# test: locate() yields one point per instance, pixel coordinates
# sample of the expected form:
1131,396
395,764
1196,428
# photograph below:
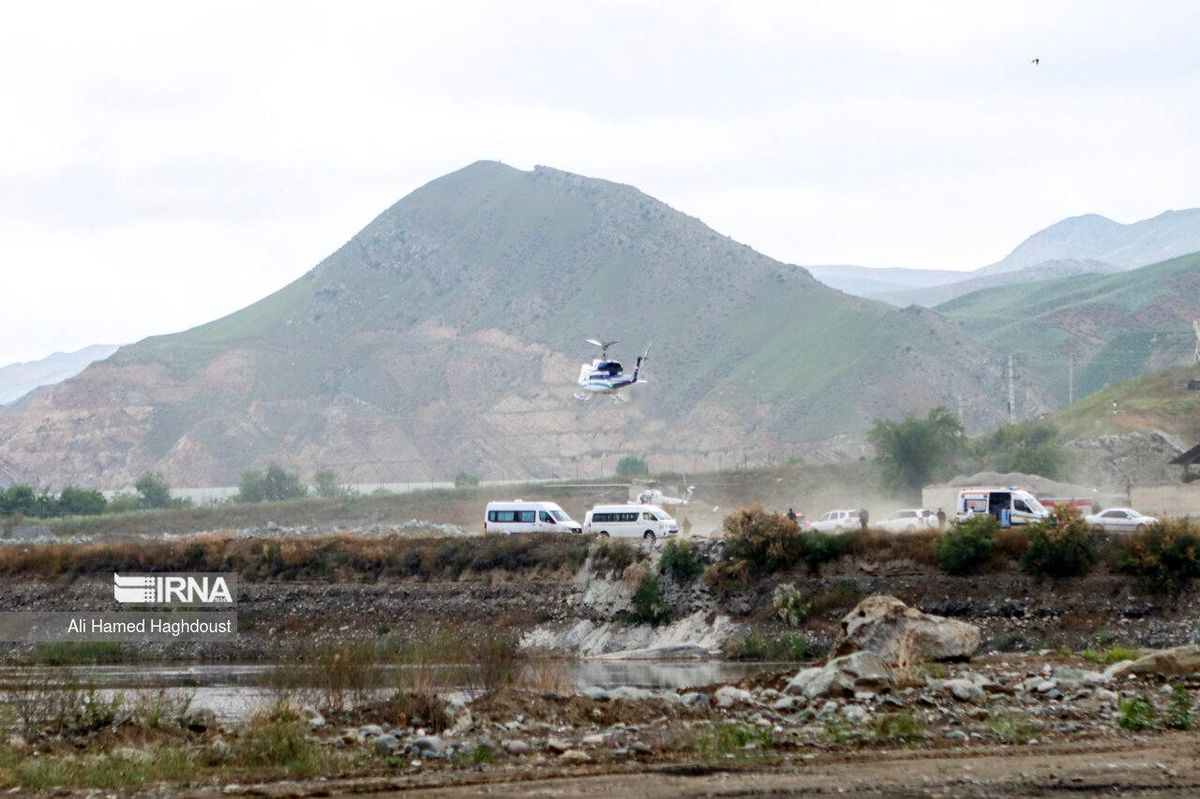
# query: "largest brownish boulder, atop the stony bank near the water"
893,630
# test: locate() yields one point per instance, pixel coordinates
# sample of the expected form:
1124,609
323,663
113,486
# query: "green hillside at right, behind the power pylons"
1113,327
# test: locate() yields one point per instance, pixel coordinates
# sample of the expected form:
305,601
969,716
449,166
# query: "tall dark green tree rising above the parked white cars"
910,453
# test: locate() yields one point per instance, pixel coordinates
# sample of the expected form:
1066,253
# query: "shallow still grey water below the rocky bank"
236,692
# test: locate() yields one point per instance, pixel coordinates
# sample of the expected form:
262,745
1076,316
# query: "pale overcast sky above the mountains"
166,164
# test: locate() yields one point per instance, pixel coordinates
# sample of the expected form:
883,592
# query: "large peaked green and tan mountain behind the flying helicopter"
449,333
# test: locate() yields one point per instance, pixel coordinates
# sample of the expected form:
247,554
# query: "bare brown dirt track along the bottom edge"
1161,766
